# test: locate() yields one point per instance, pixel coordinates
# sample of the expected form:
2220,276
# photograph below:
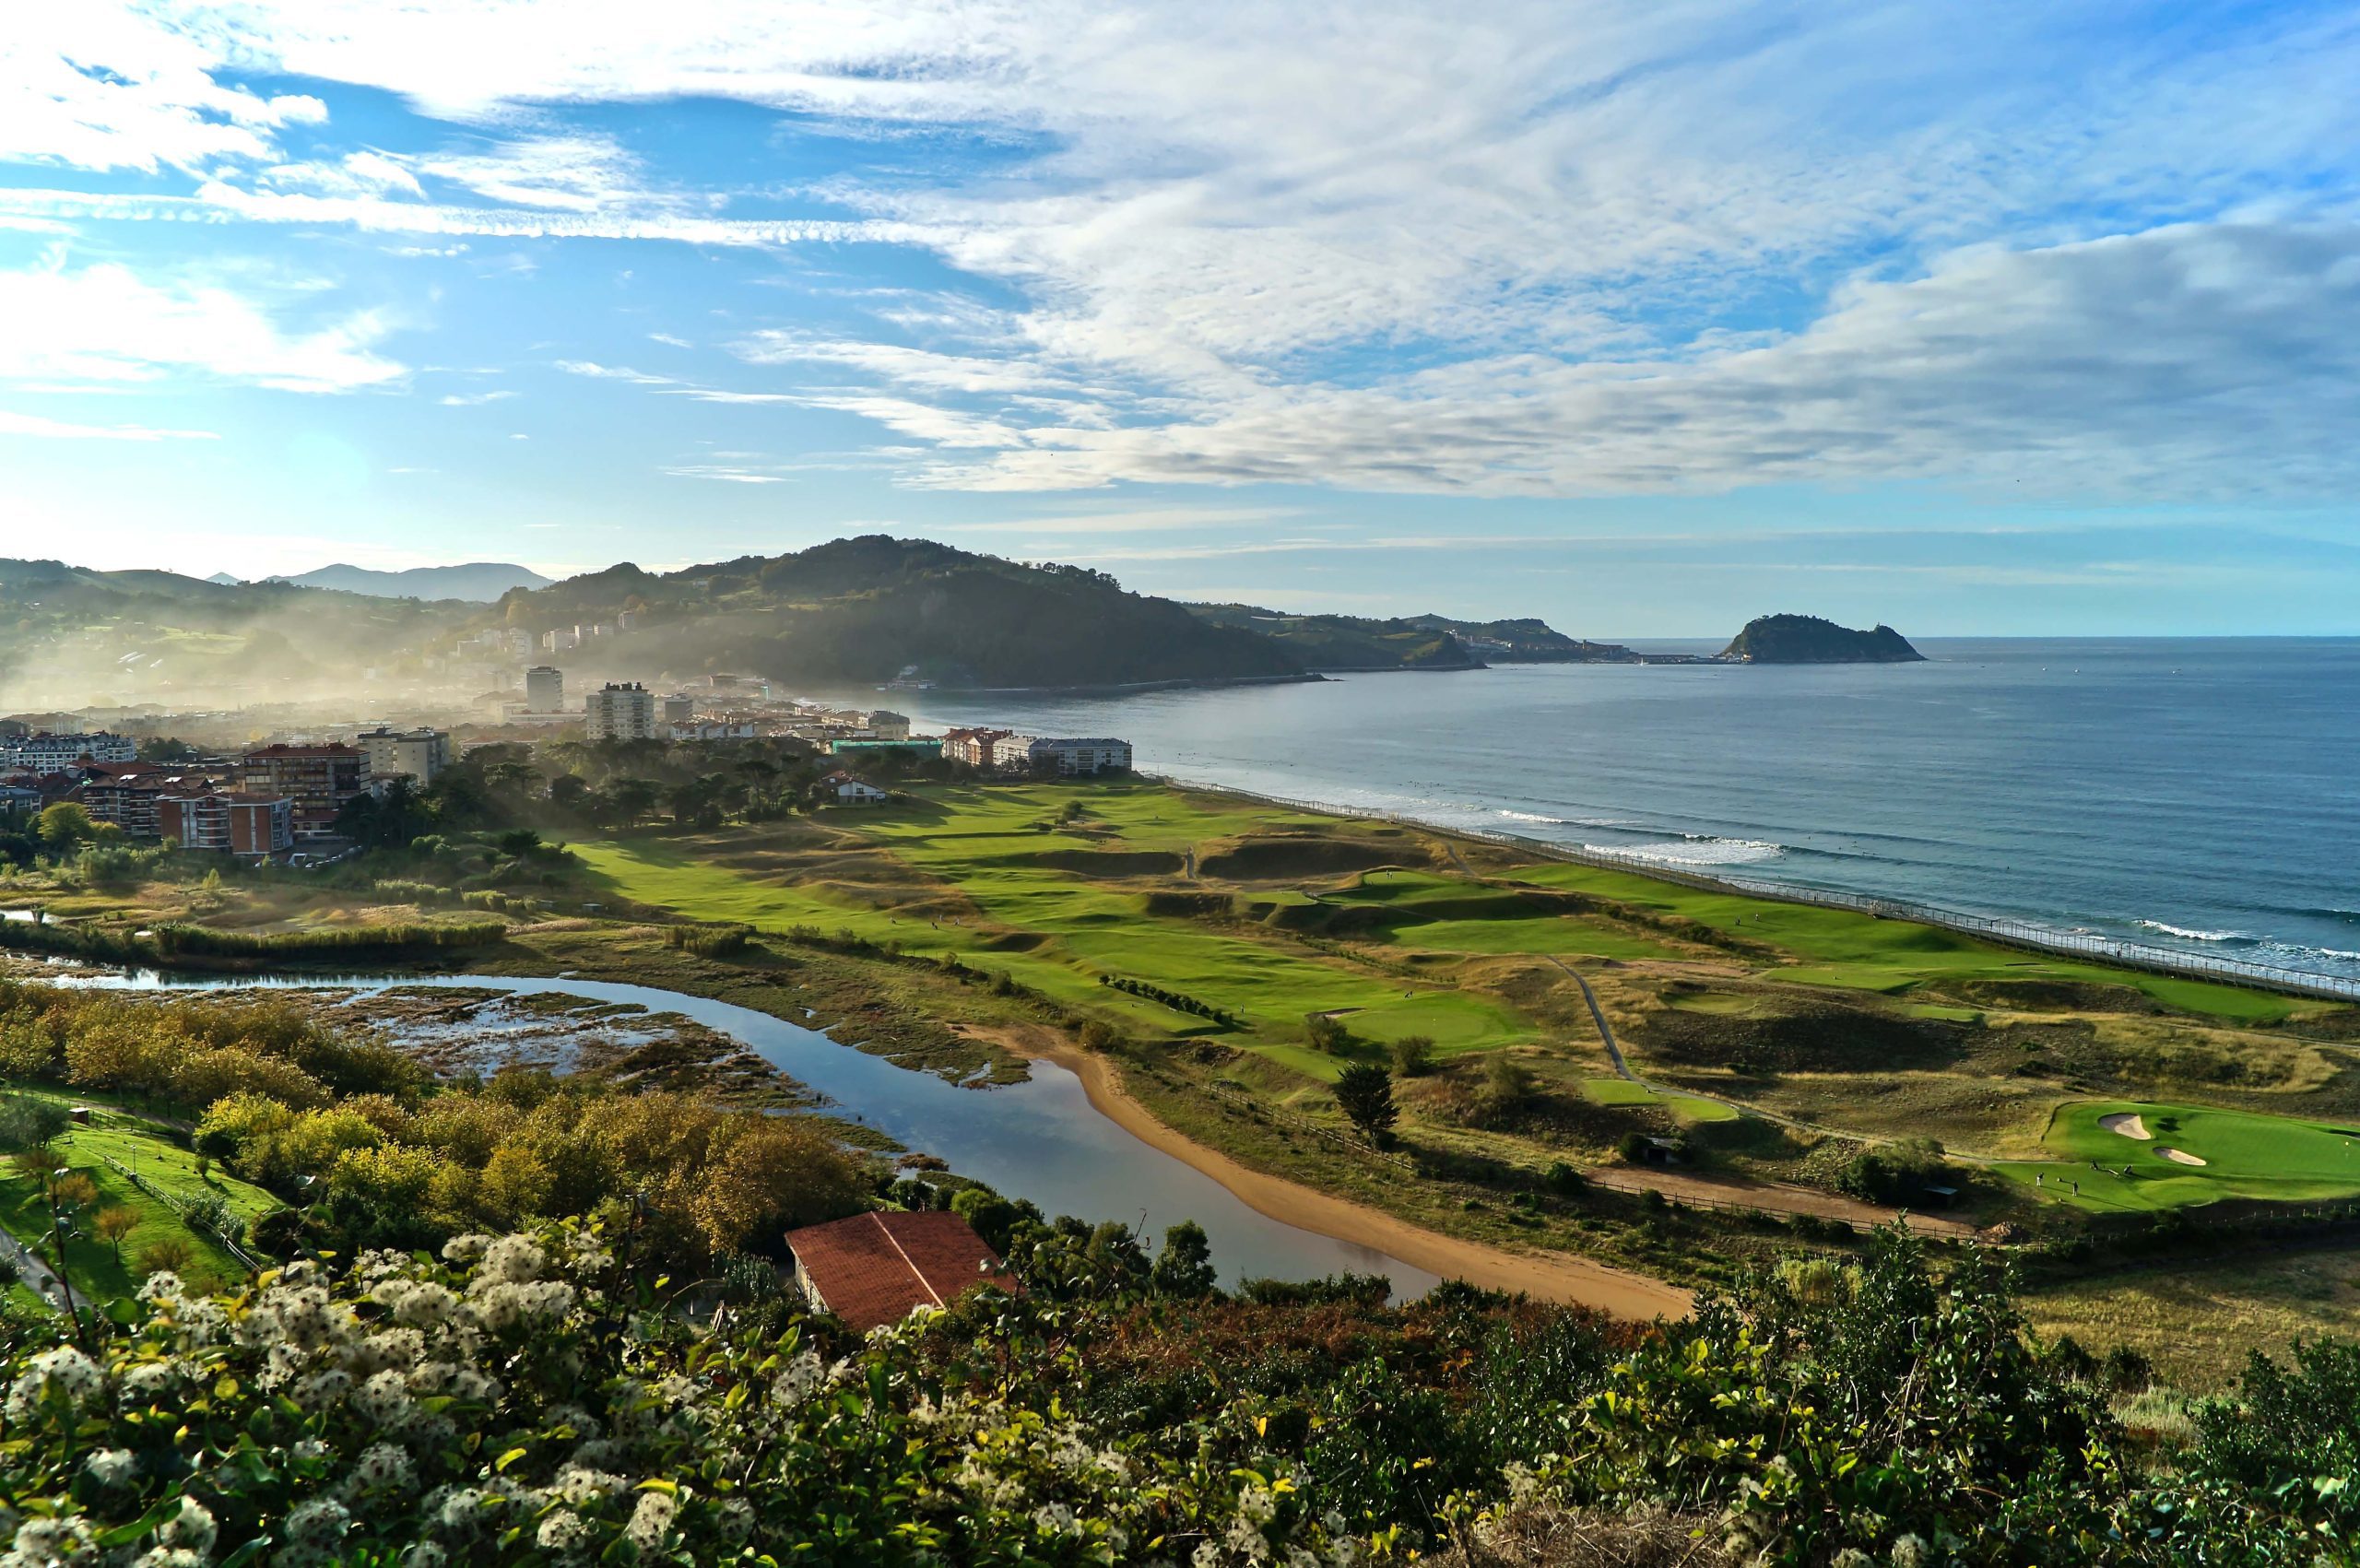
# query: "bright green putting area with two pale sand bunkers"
2246,1156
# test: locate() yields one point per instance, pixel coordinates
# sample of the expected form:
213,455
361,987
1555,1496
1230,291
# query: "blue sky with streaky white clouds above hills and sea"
1644,318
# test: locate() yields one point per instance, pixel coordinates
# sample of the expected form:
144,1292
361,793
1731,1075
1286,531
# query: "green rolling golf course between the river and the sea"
1228,941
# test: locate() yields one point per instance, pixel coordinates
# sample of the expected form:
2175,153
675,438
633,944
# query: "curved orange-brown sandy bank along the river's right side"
1549,1276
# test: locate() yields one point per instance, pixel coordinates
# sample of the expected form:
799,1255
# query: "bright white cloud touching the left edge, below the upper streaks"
107,325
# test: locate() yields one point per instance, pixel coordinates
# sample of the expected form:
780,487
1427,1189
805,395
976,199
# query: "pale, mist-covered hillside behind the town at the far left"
72,636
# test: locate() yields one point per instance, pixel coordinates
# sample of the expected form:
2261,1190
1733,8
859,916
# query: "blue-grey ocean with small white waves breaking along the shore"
2194,795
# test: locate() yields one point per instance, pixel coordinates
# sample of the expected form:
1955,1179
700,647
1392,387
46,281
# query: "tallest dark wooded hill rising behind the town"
867,610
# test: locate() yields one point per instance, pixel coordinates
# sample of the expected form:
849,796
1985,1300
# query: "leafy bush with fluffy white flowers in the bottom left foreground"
516,1402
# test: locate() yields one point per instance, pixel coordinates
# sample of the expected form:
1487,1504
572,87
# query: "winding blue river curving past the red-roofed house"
1040,1139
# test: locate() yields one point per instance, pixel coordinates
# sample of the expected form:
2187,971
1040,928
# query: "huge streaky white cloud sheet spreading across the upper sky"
1538,247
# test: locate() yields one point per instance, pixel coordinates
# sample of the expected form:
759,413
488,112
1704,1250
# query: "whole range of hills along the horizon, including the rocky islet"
848,613
